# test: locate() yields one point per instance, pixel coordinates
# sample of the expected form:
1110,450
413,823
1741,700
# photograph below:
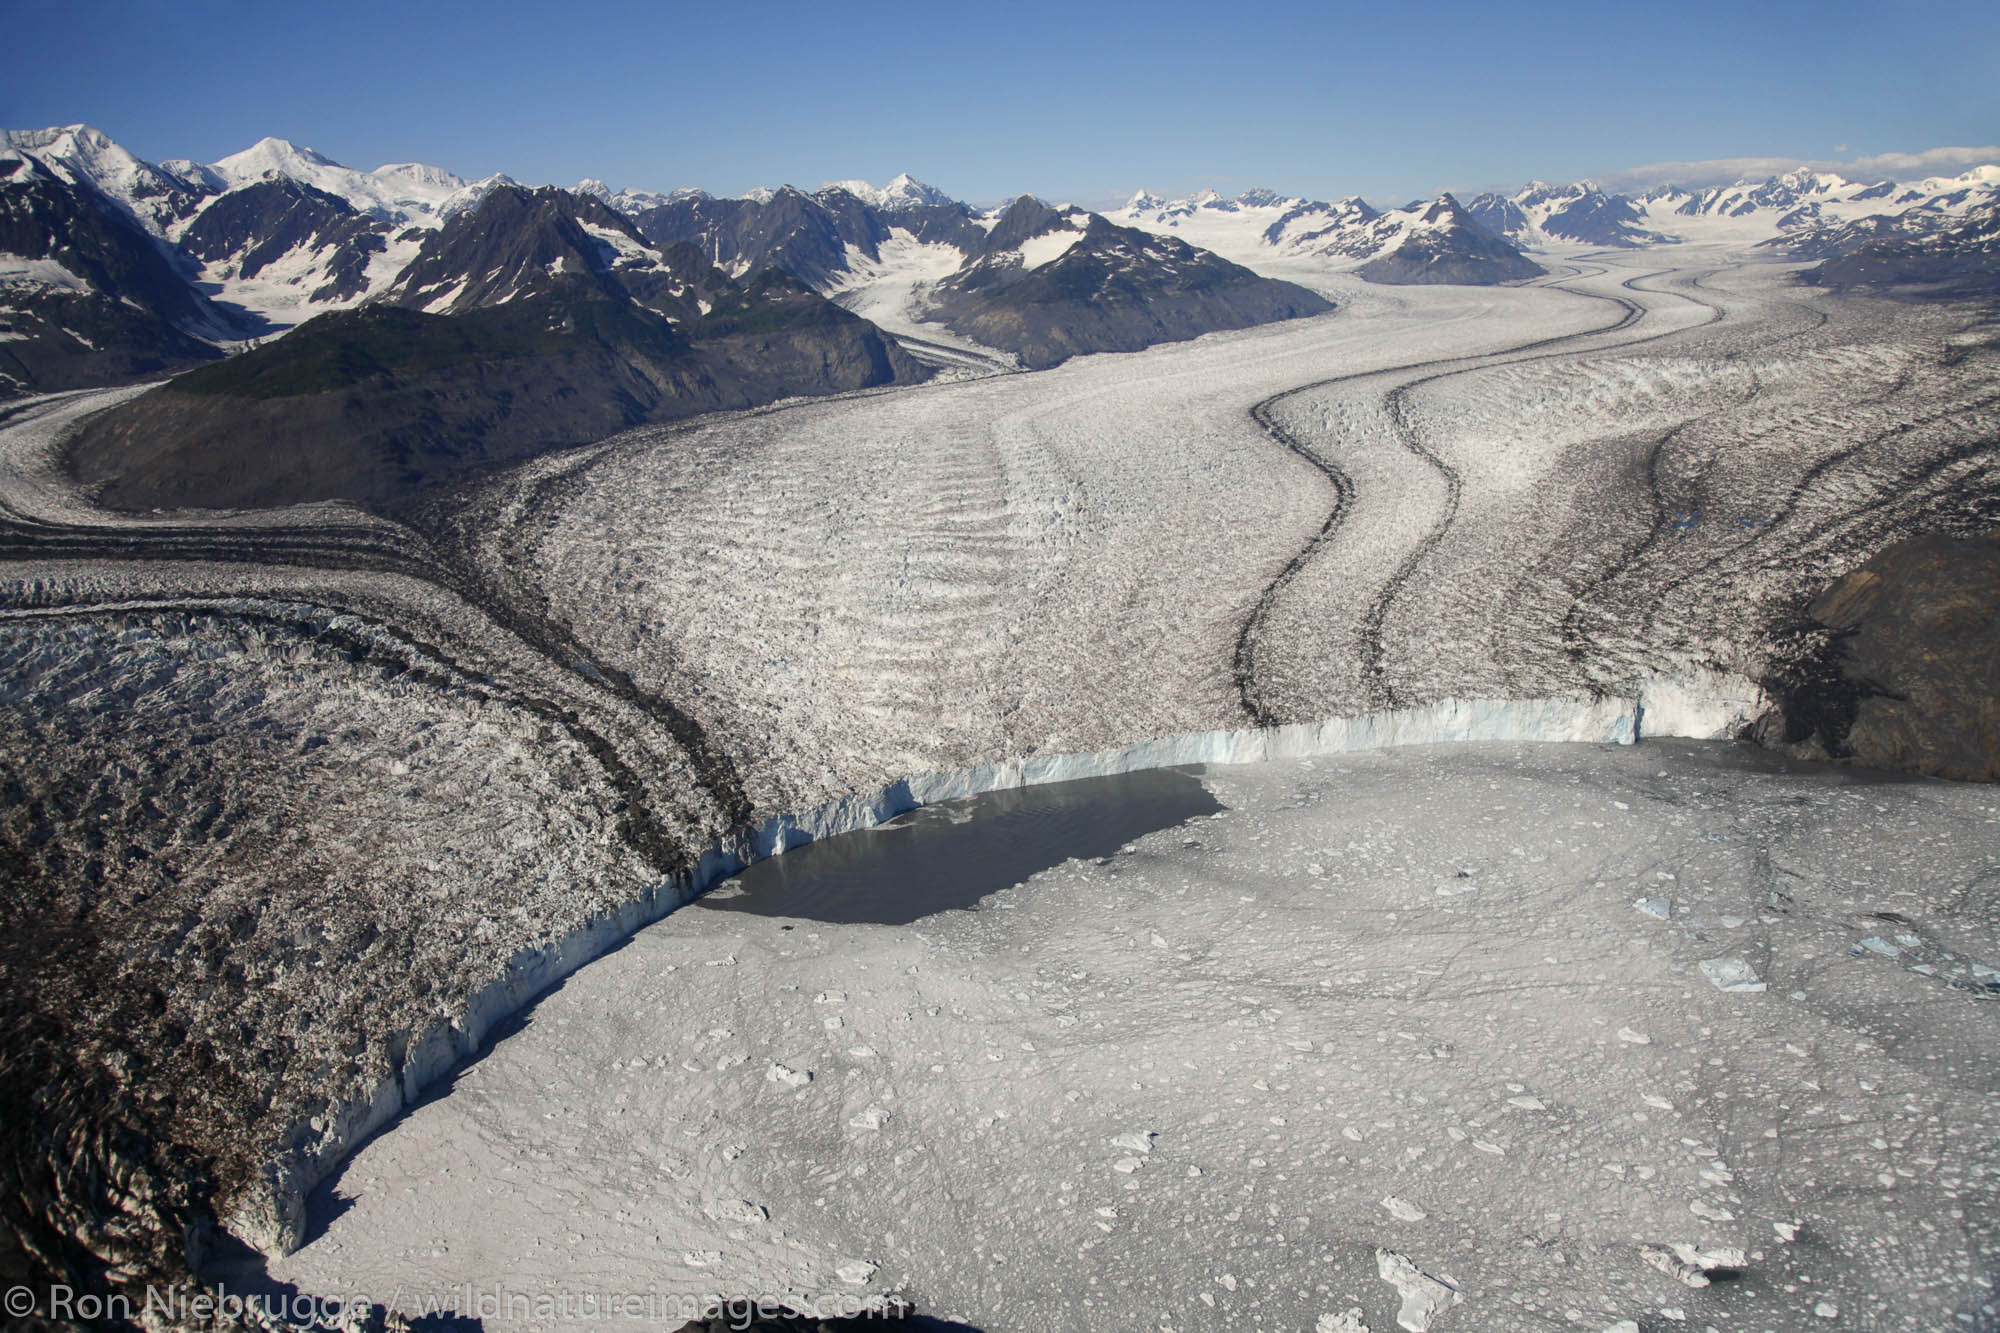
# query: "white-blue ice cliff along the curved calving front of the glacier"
1703,706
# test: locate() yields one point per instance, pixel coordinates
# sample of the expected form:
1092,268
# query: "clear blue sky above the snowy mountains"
987,101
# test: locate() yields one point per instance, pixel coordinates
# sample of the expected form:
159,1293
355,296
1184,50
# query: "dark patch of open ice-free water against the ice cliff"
959,852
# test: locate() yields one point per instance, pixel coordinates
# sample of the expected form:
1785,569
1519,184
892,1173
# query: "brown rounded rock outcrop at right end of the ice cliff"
1901,665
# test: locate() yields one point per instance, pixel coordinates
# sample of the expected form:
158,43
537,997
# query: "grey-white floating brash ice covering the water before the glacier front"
1597,1098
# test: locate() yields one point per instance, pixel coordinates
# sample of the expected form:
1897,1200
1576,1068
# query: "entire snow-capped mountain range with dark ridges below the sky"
437,325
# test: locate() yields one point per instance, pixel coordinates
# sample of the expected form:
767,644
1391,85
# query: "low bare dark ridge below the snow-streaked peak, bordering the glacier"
381,405
